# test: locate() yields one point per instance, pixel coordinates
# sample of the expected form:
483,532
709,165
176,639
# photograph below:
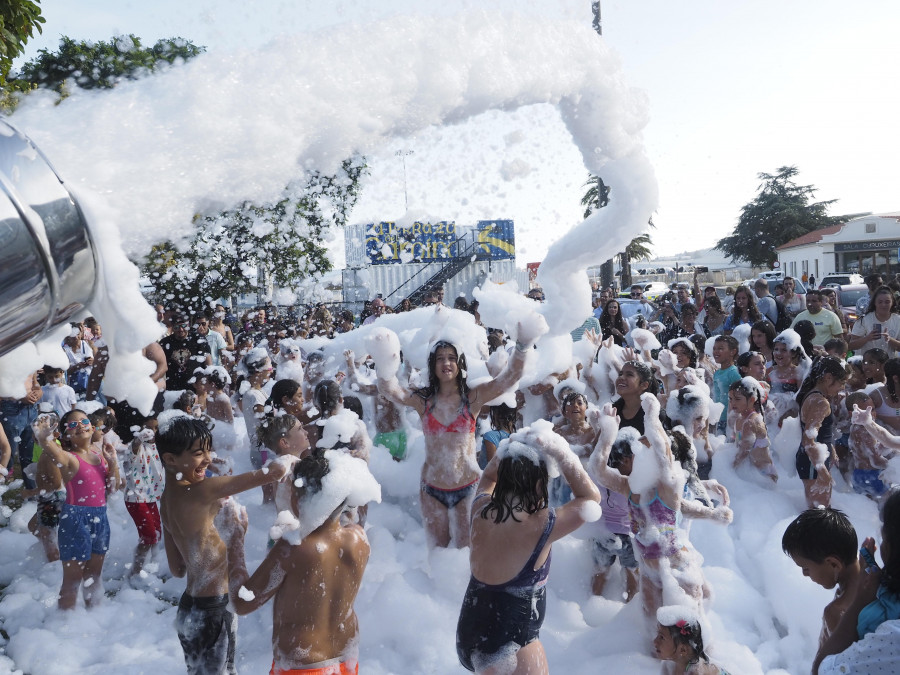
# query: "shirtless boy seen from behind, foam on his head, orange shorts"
315,629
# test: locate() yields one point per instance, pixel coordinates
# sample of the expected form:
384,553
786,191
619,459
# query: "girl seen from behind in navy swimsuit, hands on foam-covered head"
512,531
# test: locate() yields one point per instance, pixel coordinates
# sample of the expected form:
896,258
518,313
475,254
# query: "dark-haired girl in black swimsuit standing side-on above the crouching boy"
816,452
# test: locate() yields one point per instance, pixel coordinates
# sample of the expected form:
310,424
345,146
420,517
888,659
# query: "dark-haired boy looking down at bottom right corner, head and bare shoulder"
823,543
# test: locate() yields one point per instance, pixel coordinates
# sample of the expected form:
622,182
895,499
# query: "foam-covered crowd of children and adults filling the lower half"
648,420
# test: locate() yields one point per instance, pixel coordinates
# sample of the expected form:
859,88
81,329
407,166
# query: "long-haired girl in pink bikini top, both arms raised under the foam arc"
448,409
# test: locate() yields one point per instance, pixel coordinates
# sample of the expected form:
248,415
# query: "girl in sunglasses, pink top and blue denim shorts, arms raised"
88,474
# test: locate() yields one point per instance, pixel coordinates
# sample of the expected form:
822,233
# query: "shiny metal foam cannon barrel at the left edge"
48,262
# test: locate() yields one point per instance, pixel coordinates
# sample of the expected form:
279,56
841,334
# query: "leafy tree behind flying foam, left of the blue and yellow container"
282,240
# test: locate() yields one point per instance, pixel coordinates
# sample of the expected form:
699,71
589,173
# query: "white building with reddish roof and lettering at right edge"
862,245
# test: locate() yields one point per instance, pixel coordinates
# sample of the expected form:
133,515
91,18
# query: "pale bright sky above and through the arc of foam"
732,89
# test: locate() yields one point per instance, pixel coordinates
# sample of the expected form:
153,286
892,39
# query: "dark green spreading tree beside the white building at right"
781,211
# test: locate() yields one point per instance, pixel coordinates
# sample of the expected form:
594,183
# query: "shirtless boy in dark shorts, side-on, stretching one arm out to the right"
188,507
